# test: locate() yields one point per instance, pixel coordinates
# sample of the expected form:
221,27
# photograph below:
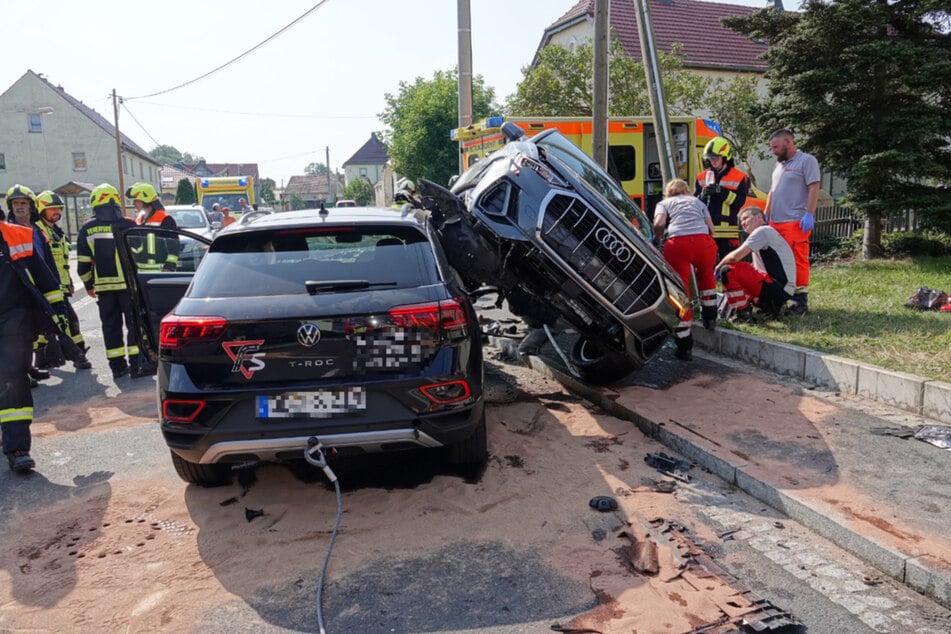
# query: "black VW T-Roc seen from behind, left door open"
347,325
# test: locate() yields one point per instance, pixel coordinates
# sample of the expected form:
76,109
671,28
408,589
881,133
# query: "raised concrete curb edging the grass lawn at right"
924,397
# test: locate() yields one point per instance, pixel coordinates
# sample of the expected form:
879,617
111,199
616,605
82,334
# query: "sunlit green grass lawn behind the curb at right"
857,311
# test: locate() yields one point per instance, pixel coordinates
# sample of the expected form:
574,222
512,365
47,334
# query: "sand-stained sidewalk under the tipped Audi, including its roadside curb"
834,460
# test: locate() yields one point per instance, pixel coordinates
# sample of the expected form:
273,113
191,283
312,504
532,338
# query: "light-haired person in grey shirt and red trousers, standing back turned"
689,245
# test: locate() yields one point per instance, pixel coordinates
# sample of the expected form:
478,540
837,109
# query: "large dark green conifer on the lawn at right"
866,86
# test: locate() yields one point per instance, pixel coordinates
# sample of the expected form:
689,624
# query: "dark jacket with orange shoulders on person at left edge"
25,279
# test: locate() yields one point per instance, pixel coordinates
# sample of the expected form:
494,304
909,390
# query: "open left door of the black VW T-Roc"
155,289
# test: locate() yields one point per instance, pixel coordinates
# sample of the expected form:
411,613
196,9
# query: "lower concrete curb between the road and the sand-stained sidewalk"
923,573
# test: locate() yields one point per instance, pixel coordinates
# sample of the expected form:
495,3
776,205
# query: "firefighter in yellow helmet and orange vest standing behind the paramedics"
723,188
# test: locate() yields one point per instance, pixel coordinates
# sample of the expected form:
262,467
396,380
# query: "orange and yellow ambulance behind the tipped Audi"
632,149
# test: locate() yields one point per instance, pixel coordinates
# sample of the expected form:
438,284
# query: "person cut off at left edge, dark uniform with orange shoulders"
30,301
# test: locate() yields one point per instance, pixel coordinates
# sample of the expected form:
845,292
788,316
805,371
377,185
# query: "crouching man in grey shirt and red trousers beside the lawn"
770,281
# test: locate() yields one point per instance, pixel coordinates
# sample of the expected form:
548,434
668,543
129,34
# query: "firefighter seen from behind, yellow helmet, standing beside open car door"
98,268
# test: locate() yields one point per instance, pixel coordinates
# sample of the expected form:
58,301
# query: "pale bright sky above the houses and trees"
319,84
